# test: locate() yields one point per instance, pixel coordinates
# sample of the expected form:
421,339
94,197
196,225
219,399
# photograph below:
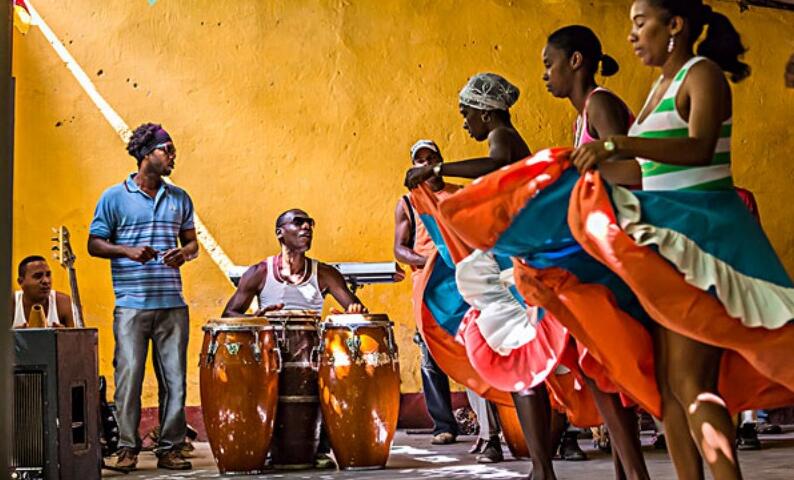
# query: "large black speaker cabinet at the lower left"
56,404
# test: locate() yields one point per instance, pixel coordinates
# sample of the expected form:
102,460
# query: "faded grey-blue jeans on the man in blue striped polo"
168,331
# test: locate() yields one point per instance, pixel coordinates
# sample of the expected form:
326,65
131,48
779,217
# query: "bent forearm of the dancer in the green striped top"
673,151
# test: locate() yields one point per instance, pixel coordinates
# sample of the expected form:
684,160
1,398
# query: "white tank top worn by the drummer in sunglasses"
302,296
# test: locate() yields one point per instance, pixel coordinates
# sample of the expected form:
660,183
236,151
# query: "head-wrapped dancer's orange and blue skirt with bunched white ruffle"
461,334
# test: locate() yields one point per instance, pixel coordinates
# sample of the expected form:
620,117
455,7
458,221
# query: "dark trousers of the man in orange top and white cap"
435,385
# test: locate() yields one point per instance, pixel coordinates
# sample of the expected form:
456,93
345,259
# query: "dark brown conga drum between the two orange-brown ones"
297,430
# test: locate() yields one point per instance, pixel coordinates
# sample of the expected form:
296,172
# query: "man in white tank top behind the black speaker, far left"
35,282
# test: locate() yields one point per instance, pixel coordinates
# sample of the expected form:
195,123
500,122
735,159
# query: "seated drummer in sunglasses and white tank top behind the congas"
290,280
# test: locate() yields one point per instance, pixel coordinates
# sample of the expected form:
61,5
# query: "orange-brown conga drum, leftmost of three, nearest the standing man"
239,365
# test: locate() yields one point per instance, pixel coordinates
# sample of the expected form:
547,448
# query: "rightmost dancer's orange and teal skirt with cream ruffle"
701,266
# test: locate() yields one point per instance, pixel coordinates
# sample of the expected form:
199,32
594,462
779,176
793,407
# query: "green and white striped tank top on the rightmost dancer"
666,122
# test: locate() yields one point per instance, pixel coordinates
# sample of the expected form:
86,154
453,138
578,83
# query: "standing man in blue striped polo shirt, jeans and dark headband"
139,224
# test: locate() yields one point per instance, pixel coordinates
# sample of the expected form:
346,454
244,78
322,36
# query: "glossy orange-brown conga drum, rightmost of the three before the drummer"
359,377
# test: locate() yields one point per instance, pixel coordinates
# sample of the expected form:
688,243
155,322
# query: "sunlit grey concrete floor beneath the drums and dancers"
412,456
